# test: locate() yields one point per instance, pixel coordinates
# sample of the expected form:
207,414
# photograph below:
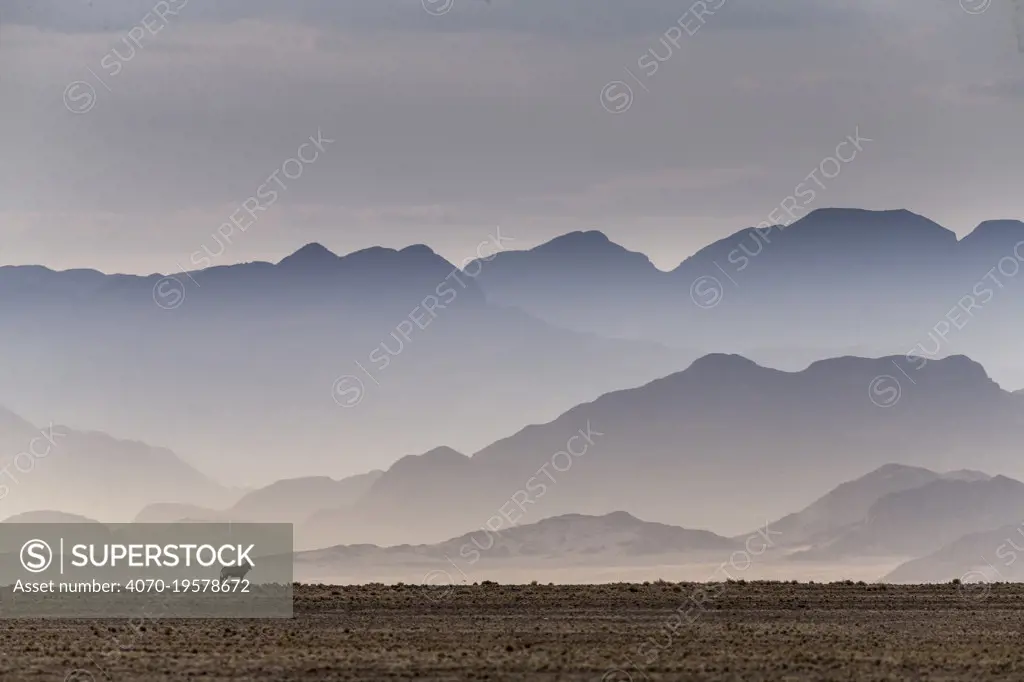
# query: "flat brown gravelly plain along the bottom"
615,633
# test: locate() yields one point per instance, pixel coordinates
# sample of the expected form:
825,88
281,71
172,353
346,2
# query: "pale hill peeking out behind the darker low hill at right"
850,503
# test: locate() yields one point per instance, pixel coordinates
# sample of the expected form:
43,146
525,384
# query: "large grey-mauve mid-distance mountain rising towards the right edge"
717,446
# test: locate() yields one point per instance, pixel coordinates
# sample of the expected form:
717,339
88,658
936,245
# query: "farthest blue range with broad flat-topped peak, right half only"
844,278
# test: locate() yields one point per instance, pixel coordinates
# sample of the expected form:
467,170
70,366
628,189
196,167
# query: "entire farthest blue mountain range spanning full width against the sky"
259,372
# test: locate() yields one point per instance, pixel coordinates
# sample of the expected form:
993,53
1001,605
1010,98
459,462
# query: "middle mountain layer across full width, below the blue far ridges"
718,446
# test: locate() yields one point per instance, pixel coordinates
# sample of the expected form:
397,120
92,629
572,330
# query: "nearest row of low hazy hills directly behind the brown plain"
941,526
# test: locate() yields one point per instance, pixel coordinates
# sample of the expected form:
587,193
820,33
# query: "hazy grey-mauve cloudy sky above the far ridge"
482,113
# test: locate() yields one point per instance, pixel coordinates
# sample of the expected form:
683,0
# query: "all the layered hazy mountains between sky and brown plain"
313,370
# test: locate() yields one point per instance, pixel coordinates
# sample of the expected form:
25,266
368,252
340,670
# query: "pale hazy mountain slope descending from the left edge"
92,474
